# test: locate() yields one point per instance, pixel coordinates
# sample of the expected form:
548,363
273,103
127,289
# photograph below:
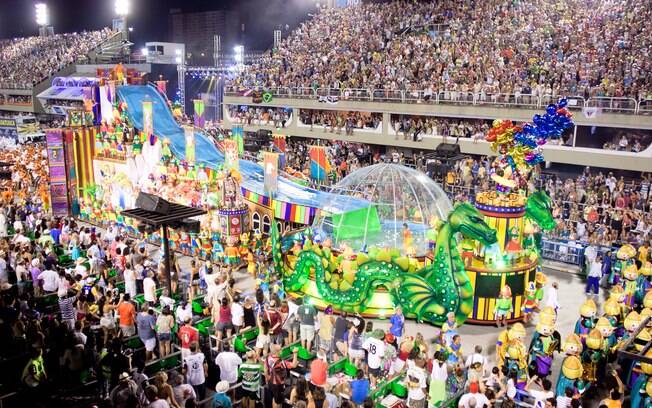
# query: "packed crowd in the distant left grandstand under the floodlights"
28,61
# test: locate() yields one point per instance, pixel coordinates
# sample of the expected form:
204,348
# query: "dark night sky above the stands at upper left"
150,17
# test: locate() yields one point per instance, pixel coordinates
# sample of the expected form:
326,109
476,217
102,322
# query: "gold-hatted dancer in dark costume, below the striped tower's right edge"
545,341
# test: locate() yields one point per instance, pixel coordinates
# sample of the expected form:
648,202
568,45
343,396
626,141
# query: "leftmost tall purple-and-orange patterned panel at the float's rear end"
57,165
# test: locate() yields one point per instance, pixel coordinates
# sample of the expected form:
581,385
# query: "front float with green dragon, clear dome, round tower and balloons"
411,247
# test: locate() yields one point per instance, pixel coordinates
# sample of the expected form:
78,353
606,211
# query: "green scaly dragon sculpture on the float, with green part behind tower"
427,294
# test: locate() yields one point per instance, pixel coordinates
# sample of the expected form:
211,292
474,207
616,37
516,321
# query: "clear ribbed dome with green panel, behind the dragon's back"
401,203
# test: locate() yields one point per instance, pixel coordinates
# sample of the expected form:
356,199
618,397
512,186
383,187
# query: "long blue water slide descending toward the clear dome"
206,152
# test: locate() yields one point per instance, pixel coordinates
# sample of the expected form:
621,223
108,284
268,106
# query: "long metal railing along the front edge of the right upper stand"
517,99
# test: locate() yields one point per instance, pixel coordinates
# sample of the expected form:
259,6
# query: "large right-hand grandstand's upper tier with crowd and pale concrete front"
422,62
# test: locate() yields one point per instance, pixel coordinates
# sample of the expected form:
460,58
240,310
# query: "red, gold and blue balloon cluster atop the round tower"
519,147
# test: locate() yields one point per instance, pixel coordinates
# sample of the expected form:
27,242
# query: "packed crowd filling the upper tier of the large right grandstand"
539,48
